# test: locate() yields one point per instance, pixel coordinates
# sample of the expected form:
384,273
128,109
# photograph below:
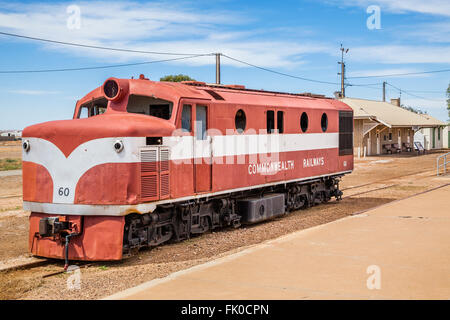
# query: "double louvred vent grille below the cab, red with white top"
155,173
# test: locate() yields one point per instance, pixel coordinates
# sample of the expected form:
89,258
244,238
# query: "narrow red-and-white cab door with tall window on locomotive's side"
202,150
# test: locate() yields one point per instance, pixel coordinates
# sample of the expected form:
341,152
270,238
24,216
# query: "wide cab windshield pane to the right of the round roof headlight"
150,106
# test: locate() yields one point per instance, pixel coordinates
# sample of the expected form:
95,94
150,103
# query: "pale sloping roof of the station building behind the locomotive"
389,114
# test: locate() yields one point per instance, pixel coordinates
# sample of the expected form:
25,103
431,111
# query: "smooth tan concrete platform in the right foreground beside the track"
396,251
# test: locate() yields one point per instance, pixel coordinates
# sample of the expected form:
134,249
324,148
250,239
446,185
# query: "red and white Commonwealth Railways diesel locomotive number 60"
145,162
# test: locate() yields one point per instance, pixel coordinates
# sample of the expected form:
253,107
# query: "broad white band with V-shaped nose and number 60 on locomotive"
66,172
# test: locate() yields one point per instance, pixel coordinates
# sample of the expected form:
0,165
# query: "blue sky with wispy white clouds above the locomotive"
300,38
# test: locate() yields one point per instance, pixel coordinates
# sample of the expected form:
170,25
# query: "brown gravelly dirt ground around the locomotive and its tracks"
400,176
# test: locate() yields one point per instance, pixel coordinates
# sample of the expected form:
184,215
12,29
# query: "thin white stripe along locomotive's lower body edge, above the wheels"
120,210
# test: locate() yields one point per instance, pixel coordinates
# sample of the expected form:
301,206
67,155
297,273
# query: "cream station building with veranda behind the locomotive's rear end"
383,127
